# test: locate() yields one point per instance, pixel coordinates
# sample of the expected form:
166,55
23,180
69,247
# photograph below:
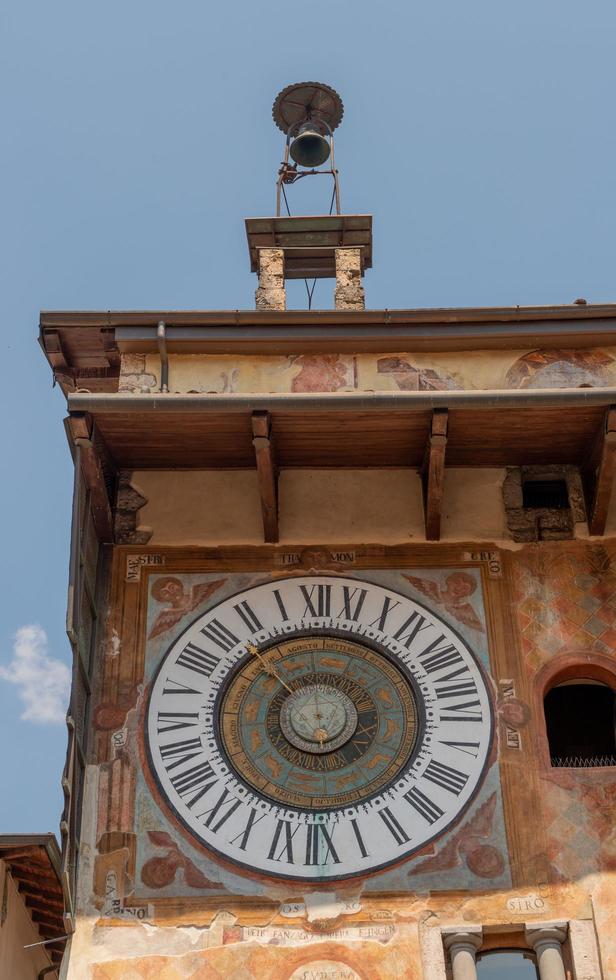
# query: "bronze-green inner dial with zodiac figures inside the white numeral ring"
318,721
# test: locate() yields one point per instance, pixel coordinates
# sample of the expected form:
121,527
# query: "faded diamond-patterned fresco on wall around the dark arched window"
566,611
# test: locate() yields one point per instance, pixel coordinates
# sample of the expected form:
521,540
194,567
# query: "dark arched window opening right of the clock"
580,719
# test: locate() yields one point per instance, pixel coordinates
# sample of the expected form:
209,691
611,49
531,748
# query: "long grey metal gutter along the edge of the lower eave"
308,402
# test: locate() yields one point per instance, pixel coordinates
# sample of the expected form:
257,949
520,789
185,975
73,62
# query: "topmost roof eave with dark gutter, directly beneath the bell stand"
84,348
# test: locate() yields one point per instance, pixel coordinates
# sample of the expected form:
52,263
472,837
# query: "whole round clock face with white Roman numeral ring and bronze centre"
318,727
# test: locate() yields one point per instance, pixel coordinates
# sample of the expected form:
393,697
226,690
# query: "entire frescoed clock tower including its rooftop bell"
341,603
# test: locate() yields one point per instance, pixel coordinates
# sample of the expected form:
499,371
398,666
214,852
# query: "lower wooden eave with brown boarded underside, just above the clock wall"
352,430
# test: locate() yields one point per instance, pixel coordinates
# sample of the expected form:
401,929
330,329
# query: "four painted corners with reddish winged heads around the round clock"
170,863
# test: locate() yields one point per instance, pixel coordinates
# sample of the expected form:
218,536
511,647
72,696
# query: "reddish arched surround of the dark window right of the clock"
567,667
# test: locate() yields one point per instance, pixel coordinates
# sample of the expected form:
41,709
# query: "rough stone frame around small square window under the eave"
527,524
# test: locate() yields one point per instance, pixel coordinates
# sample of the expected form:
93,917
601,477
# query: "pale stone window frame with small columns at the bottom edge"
563,948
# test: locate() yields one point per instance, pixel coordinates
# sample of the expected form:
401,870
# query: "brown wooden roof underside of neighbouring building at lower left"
34,864
